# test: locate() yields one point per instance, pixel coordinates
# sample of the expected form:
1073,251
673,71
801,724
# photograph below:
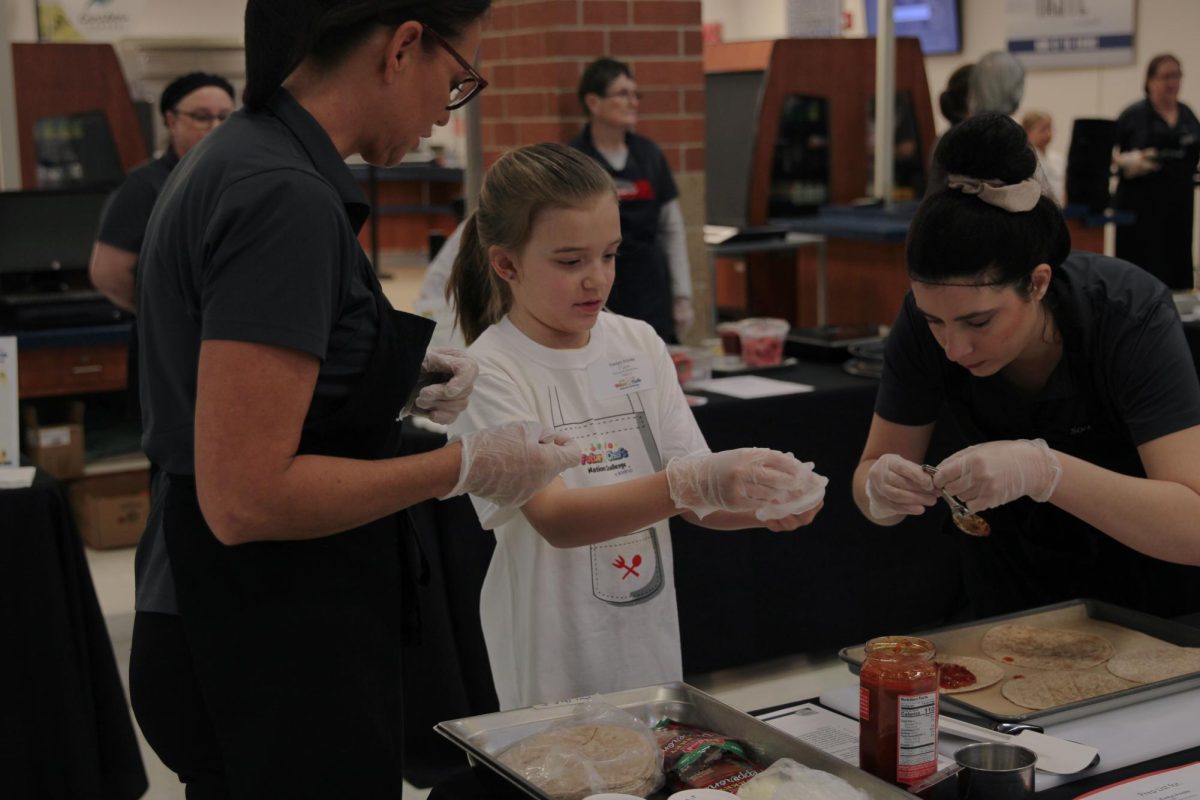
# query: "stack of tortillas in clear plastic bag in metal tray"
573,762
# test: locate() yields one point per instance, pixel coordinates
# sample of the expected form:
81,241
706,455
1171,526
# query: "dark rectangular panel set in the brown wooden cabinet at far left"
76,151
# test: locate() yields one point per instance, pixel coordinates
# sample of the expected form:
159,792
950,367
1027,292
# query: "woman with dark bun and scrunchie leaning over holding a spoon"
1070,376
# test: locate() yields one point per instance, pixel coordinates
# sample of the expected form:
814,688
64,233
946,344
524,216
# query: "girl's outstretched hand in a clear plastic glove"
735,480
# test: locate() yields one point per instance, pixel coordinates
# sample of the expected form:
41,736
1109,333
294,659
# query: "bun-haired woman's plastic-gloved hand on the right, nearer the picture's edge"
995,473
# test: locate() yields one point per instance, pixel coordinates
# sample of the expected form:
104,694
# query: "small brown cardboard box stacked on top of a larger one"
111,509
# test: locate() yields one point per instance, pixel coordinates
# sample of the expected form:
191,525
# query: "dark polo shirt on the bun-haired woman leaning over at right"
1126,378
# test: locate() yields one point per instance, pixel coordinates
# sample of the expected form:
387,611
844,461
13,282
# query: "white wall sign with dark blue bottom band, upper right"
1071,33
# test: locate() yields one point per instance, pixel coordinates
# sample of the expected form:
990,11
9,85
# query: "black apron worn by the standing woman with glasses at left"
297,645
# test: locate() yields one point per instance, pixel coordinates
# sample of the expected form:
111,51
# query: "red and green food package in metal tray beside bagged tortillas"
694,759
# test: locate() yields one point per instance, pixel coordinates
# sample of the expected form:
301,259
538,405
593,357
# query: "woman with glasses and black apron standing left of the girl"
272,578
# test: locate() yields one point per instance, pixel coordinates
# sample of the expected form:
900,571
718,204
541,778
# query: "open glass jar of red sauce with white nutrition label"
898,709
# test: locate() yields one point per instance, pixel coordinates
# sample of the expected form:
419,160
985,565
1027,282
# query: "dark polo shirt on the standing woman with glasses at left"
255,239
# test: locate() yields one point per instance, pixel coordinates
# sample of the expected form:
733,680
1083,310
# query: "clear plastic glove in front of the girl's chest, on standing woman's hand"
509,465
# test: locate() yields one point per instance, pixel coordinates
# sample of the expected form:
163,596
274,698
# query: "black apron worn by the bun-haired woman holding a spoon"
1037,554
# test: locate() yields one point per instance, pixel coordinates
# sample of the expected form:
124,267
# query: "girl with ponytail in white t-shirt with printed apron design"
580,594
